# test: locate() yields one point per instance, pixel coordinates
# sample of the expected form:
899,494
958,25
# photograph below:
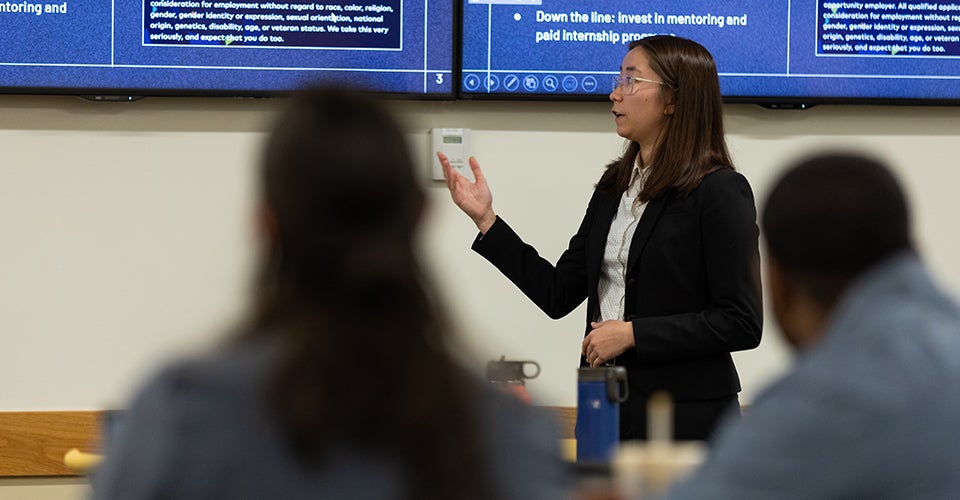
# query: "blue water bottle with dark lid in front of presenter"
599,394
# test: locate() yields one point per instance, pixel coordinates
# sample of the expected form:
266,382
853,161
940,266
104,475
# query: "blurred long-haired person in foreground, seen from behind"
341,384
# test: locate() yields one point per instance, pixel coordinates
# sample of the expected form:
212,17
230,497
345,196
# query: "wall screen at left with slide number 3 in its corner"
234,48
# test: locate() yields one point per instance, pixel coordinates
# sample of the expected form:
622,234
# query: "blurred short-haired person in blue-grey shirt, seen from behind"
871,408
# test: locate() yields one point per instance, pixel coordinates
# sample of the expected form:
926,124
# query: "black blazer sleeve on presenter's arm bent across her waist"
732,317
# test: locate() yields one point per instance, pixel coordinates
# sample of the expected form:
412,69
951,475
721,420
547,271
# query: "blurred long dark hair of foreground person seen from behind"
365,360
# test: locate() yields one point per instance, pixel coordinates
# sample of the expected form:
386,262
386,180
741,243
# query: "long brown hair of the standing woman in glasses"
692,143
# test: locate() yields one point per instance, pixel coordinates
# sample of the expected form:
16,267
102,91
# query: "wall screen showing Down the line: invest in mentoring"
775,52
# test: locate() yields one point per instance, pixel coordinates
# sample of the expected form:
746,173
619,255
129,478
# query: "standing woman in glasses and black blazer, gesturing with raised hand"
667,252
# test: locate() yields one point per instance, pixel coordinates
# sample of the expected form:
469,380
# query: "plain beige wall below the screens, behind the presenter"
124,227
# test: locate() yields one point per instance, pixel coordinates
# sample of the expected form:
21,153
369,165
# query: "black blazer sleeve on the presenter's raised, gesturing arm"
555,289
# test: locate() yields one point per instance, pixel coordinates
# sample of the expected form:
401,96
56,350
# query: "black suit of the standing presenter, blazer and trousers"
692,284
